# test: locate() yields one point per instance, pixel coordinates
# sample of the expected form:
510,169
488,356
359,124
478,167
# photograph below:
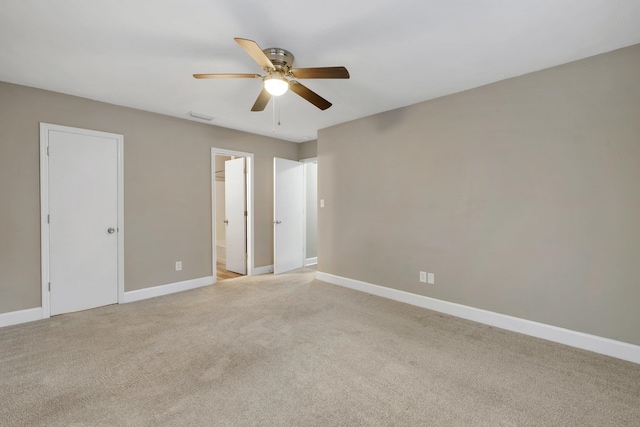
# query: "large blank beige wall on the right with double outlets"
523,197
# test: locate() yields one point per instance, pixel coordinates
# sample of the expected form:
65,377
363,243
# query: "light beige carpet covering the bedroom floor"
292,351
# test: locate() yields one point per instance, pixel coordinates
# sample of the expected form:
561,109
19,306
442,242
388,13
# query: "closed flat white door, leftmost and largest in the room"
83,216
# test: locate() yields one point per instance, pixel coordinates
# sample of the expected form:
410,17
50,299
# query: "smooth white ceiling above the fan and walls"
142,53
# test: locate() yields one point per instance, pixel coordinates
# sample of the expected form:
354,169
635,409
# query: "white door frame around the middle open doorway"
250,219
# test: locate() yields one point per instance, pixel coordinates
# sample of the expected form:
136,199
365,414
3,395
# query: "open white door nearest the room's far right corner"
288,215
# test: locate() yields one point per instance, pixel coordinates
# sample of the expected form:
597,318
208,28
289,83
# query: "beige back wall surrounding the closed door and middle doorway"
167,189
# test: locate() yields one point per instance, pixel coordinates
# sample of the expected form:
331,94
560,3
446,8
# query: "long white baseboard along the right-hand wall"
606,346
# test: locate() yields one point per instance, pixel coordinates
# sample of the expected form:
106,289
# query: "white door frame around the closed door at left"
44,206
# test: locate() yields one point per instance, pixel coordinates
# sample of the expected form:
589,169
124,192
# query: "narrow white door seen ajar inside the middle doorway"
235,201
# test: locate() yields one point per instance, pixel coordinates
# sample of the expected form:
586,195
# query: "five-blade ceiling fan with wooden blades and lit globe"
280,76
